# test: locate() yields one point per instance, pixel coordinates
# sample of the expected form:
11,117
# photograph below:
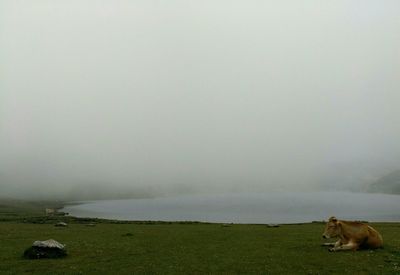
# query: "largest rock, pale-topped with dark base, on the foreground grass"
45,249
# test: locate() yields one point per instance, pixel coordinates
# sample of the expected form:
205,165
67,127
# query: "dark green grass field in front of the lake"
162,248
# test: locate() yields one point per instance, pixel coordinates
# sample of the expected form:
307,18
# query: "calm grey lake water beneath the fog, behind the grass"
276,207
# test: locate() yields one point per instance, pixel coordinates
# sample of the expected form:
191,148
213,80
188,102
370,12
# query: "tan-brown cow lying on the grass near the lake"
352,235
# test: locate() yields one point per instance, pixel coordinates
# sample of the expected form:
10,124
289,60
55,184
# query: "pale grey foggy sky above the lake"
140,98
